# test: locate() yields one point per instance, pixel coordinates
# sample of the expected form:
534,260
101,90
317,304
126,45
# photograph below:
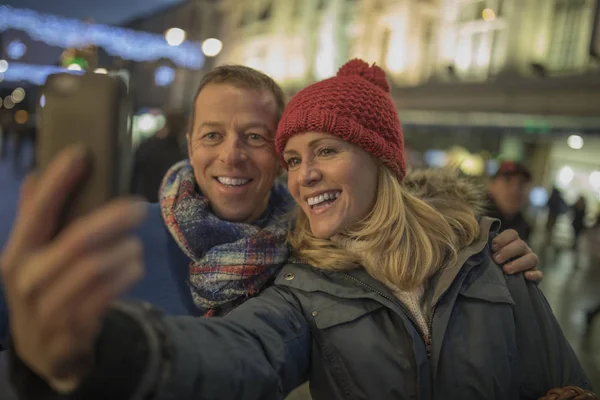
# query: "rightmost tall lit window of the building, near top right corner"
567,35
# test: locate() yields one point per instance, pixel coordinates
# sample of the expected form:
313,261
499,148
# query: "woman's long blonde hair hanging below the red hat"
403,241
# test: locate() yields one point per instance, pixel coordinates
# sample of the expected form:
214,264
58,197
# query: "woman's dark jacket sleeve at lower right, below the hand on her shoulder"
547,359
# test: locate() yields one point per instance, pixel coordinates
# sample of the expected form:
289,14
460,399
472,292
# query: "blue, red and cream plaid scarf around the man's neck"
230,261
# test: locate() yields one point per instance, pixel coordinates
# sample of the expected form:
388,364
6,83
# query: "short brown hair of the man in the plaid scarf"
242,77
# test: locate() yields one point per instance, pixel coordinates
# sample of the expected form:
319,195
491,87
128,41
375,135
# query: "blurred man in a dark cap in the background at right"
508,190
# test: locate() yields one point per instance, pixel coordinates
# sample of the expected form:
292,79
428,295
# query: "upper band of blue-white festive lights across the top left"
125,43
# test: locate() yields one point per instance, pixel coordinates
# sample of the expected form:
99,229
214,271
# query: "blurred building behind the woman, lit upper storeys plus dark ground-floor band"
508,77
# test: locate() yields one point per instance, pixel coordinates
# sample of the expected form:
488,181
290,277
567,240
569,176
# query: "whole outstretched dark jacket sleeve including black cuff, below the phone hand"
261,350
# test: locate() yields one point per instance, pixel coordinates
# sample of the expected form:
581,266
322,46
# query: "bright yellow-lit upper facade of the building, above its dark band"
416,41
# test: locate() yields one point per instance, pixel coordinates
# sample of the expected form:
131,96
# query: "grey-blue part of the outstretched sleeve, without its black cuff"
261,350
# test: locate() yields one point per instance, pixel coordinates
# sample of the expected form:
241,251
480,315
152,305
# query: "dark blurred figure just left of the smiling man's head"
156,155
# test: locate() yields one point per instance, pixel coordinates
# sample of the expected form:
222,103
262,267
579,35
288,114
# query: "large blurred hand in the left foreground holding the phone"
60,285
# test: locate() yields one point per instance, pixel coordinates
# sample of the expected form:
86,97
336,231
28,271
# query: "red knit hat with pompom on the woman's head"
354,105
